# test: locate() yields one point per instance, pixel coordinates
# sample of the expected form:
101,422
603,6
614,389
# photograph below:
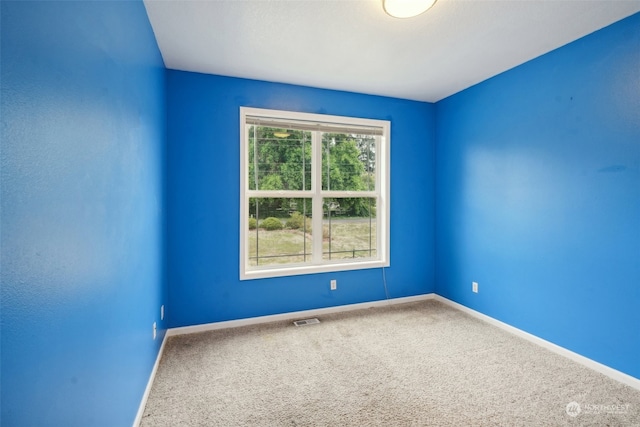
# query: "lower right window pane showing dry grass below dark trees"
349,228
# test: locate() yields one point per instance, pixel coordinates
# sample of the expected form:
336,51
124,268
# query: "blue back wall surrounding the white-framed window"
203,200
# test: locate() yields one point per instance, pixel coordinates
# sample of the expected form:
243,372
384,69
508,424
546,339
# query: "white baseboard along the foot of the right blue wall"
585,361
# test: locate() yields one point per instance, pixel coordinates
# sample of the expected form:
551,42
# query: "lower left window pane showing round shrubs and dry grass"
279,231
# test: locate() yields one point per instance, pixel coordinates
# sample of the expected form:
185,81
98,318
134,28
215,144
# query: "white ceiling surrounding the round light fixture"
353,45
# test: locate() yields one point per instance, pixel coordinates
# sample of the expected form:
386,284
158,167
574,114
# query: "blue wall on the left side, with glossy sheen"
82,211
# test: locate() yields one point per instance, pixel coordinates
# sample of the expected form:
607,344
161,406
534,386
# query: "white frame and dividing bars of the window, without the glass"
381,193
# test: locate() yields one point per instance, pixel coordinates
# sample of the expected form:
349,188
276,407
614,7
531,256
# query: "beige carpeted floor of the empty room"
416,364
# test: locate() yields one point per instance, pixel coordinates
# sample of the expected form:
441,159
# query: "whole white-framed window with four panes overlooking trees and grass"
314,193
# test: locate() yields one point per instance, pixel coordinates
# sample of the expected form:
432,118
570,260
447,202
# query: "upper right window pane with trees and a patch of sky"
348,162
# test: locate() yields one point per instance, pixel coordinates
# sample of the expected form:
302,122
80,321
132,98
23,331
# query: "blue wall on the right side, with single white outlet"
538,196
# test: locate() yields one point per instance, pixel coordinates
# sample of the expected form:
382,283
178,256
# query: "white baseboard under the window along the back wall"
293,315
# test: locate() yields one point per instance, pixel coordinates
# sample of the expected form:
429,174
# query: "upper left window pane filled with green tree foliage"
279,159
